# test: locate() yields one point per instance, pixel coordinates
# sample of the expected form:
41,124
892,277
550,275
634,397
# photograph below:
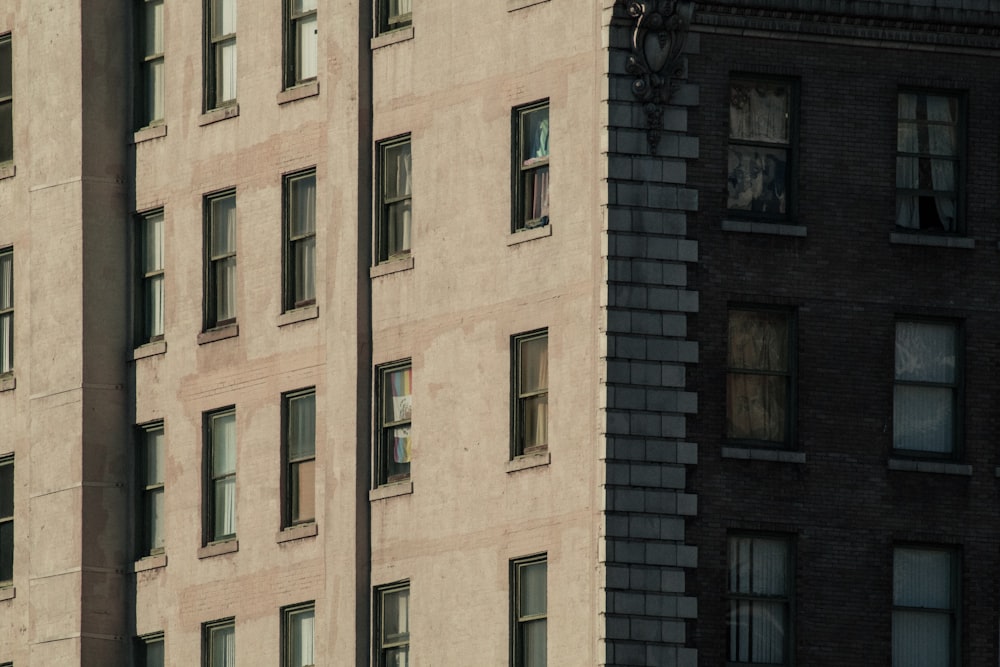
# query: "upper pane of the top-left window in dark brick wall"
759,111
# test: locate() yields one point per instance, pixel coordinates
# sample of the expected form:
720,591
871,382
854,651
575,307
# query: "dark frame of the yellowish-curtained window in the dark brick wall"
790,373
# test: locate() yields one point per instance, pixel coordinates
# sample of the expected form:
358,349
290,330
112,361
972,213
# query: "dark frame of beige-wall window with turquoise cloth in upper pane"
523,167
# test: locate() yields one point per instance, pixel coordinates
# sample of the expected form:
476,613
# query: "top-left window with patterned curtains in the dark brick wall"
760,146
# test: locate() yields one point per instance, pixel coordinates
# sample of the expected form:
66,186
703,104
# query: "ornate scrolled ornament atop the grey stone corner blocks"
657,42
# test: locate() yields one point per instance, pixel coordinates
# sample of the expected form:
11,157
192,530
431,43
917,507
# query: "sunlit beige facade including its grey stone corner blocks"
327,336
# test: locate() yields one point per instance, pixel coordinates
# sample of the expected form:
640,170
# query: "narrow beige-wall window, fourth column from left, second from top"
300,239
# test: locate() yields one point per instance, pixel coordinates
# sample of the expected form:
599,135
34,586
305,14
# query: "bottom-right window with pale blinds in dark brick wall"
925,599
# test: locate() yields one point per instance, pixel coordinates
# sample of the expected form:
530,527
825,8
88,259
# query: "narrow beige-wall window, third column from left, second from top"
220,283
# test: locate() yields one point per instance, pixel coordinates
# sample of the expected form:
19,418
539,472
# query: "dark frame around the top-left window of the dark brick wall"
791,148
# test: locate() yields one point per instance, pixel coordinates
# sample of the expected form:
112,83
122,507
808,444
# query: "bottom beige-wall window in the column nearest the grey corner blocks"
529,606
